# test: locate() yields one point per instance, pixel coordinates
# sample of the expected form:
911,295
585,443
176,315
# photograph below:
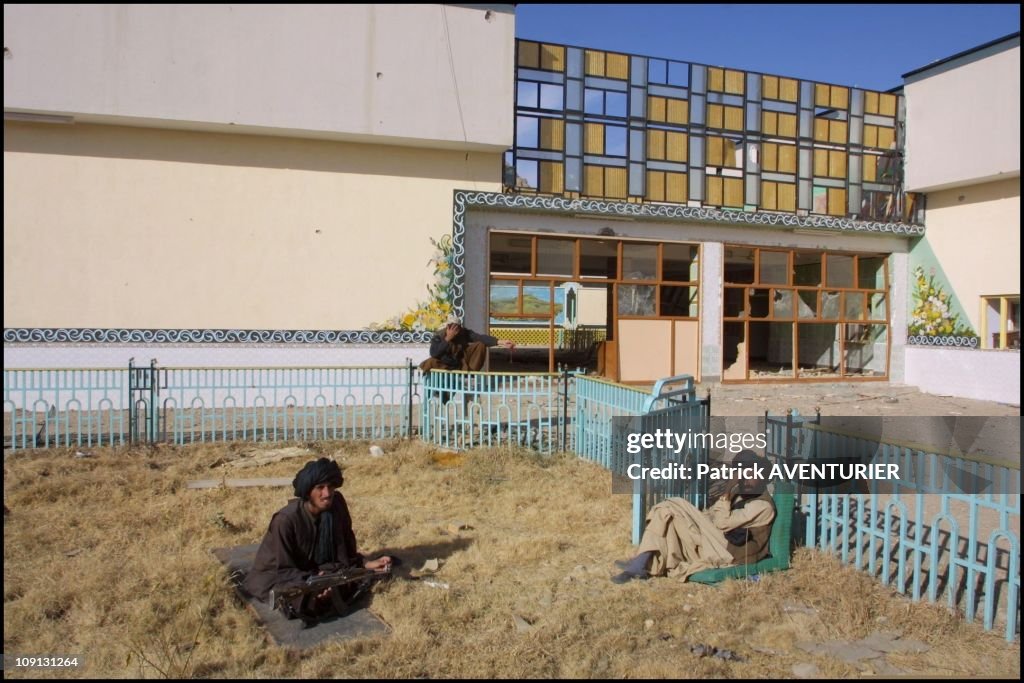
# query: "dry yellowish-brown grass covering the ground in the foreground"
109,558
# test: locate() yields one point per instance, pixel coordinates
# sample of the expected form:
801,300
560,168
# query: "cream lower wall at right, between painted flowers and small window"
974,233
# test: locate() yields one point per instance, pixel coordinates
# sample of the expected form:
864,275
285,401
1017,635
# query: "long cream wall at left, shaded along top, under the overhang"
131,228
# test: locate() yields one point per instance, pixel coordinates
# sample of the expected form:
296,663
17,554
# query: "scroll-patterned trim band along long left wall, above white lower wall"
120,336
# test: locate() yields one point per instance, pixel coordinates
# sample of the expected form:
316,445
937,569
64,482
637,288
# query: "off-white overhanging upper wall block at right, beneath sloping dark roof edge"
964,124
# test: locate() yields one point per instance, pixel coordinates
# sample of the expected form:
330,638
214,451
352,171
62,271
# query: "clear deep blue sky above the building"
868,47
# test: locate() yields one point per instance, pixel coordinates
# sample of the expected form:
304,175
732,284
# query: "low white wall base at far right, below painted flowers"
984,375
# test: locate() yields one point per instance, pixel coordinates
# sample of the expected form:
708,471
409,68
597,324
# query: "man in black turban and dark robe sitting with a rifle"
312,535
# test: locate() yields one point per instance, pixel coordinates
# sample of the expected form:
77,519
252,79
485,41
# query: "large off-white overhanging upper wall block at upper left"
414,74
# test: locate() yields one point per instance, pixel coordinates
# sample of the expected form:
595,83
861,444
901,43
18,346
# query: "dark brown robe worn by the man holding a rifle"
286,554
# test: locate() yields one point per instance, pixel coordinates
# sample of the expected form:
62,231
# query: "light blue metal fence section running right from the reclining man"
922,535
